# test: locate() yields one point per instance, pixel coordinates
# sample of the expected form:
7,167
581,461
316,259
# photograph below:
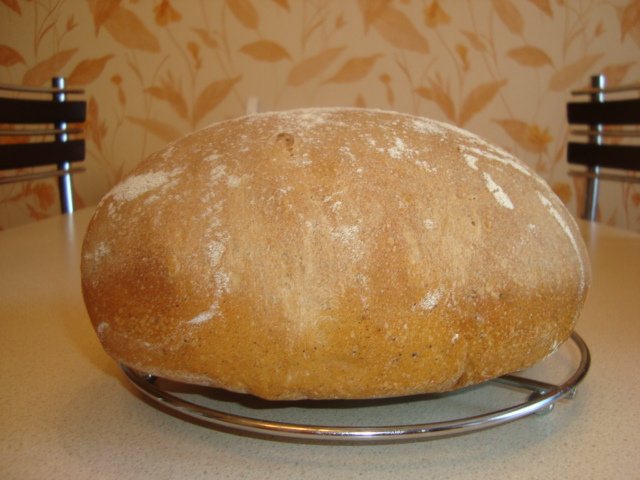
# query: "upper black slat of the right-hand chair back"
613,112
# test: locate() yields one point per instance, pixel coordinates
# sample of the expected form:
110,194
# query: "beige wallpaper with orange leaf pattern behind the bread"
157,69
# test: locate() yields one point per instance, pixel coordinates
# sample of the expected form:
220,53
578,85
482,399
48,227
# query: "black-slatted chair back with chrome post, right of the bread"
610,132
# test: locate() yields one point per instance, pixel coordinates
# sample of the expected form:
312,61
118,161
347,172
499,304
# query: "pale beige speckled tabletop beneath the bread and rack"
67,411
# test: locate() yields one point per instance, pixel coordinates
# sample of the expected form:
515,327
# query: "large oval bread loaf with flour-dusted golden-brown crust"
332,253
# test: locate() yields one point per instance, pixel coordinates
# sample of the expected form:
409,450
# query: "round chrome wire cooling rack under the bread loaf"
493,403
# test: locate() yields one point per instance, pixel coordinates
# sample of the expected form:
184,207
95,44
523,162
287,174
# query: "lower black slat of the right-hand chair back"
625,157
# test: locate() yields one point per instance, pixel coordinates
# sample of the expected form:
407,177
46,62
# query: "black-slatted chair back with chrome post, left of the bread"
41,127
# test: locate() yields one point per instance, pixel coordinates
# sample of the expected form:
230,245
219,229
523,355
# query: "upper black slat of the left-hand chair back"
14,110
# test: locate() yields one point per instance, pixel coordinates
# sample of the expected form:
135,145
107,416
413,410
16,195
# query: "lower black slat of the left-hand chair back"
23,155
